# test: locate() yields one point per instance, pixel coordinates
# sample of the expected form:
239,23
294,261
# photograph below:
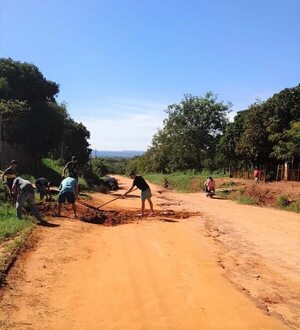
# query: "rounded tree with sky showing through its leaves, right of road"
189,136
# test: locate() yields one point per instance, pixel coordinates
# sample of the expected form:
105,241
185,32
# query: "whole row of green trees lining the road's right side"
197,134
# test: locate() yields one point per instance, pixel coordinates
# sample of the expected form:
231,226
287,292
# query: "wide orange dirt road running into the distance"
233,267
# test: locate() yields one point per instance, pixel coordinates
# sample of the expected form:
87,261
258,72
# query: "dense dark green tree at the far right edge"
271,128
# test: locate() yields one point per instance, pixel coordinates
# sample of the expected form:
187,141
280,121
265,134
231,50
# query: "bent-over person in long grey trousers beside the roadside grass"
25,192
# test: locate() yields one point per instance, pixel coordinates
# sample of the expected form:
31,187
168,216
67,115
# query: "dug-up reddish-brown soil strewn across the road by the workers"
109,217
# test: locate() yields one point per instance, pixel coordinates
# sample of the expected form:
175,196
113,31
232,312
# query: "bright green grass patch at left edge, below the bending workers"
10,225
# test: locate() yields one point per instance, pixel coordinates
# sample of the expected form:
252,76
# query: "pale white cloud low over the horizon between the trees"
126,125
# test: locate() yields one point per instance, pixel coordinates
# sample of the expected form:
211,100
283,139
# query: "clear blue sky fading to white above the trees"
120,63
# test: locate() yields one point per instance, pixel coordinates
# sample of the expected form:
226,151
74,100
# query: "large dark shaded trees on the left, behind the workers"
31,116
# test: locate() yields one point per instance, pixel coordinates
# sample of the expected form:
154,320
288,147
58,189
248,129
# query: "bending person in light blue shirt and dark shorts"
68,191
